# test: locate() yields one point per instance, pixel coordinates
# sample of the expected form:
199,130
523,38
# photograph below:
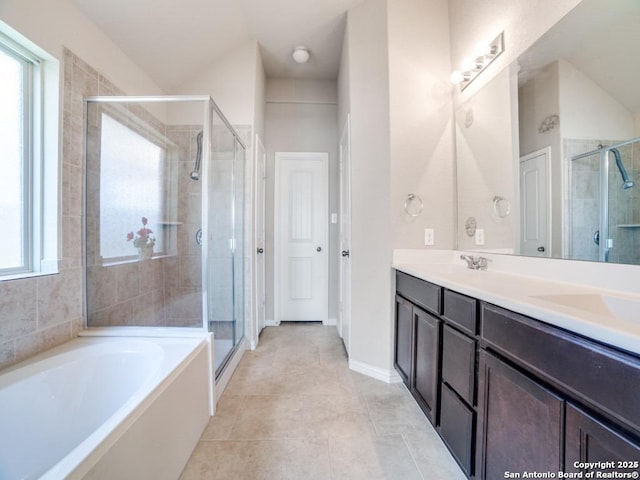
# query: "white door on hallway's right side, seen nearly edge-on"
344,314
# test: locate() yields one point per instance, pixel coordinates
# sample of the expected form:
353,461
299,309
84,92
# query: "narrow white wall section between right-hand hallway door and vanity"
371,239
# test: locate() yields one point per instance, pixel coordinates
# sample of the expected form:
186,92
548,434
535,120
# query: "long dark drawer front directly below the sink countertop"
605,378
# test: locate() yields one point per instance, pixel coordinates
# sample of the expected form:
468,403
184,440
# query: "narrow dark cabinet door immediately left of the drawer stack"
425,367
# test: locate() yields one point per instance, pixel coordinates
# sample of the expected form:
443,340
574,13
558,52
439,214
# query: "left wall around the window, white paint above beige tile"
39,313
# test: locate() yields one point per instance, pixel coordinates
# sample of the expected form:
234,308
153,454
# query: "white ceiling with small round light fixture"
174,40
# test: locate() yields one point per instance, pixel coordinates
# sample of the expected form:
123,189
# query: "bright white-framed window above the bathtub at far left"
28,149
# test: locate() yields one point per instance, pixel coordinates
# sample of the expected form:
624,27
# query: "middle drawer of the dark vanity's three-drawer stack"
459,362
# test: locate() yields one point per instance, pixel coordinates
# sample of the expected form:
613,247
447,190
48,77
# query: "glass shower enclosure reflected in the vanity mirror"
604,202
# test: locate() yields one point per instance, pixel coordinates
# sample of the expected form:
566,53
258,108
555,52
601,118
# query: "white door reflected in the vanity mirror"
535,205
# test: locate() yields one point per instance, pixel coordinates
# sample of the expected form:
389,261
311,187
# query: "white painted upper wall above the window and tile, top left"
52,24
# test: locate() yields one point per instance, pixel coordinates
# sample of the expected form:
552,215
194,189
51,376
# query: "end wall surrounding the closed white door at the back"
301,116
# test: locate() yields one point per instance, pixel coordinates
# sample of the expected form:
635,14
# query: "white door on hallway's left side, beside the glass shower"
260,201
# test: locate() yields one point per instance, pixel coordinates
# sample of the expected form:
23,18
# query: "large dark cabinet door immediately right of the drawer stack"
519,422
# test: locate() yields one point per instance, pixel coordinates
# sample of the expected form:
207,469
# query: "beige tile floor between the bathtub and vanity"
294,410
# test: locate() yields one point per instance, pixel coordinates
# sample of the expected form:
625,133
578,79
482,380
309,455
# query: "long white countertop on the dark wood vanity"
585,310
